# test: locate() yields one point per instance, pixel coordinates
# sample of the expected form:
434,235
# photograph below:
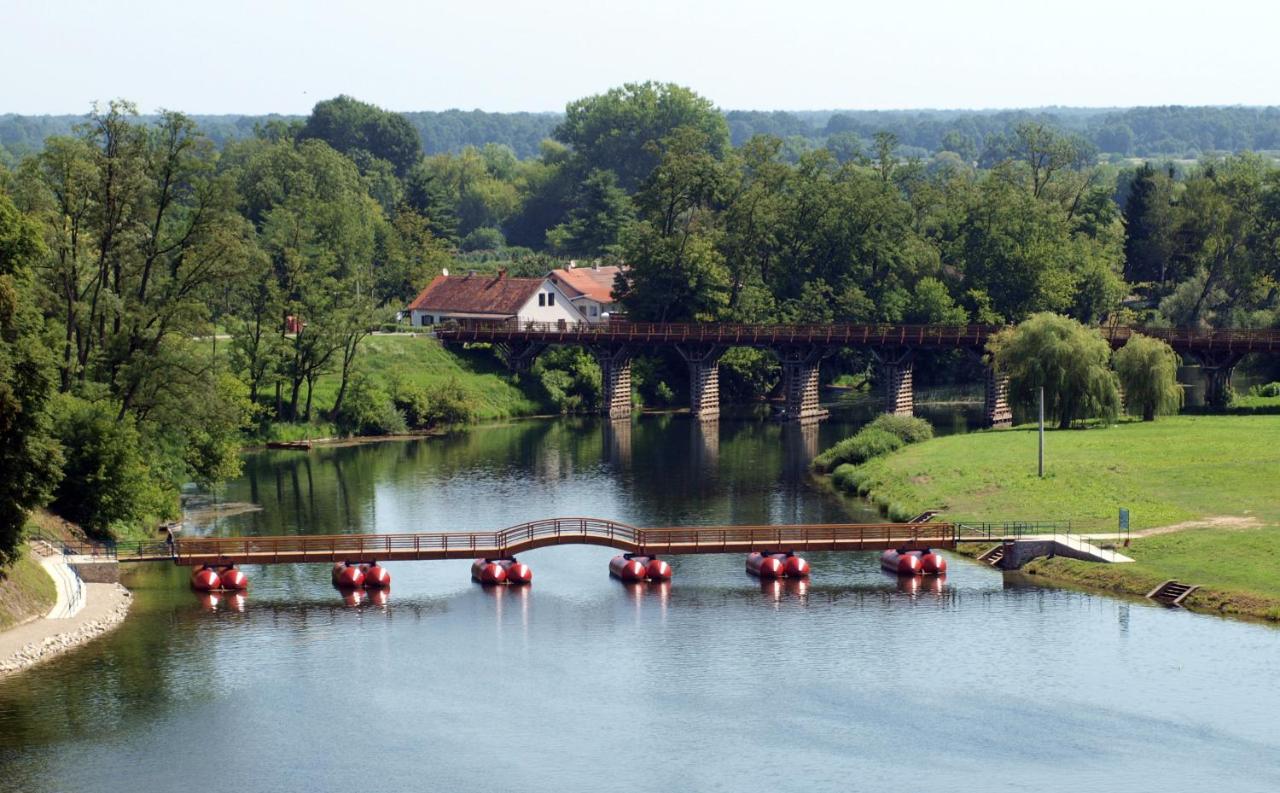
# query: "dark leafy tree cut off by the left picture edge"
30,457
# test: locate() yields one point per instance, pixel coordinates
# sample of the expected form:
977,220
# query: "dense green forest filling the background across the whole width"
166,290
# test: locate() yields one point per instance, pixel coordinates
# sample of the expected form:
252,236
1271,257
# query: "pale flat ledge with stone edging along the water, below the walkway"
107,607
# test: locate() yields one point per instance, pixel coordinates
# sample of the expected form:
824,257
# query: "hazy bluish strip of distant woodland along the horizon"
1162,132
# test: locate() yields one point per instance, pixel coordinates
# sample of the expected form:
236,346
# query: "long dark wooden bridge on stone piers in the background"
802,347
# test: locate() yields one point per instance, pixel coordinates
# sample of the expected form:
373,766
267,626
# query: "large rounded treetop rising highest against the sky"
618,131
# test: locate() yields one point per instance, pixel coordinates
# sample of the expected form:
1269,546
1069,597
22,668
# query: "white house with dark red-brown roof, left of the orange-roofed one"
492,297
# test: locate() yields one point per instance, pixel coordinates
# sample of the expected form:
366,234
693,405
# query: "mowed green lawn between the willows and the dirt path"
1165,473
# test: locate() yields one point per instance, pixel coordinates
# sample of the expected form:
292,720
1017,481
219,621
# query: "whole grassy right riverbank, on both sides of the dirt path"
1204,485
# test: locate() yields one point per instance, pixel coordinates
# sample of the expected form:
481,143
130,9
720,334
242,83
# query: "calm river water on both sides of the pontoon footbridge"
582,684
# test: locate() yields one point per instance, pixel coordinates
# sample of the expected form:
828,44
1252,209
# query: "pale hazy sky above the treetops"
262,57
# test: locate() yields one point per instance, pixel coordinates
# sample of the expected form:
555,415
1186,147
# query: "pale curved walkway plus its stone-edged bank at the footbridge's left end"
83,613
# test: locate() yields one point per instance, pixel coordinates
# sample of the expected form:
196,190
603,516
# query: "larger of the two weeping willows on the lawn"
1066,359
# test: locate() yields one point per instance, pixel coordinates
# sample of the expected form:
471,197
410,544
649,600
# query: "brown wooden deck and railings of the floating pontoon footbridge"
307,549
